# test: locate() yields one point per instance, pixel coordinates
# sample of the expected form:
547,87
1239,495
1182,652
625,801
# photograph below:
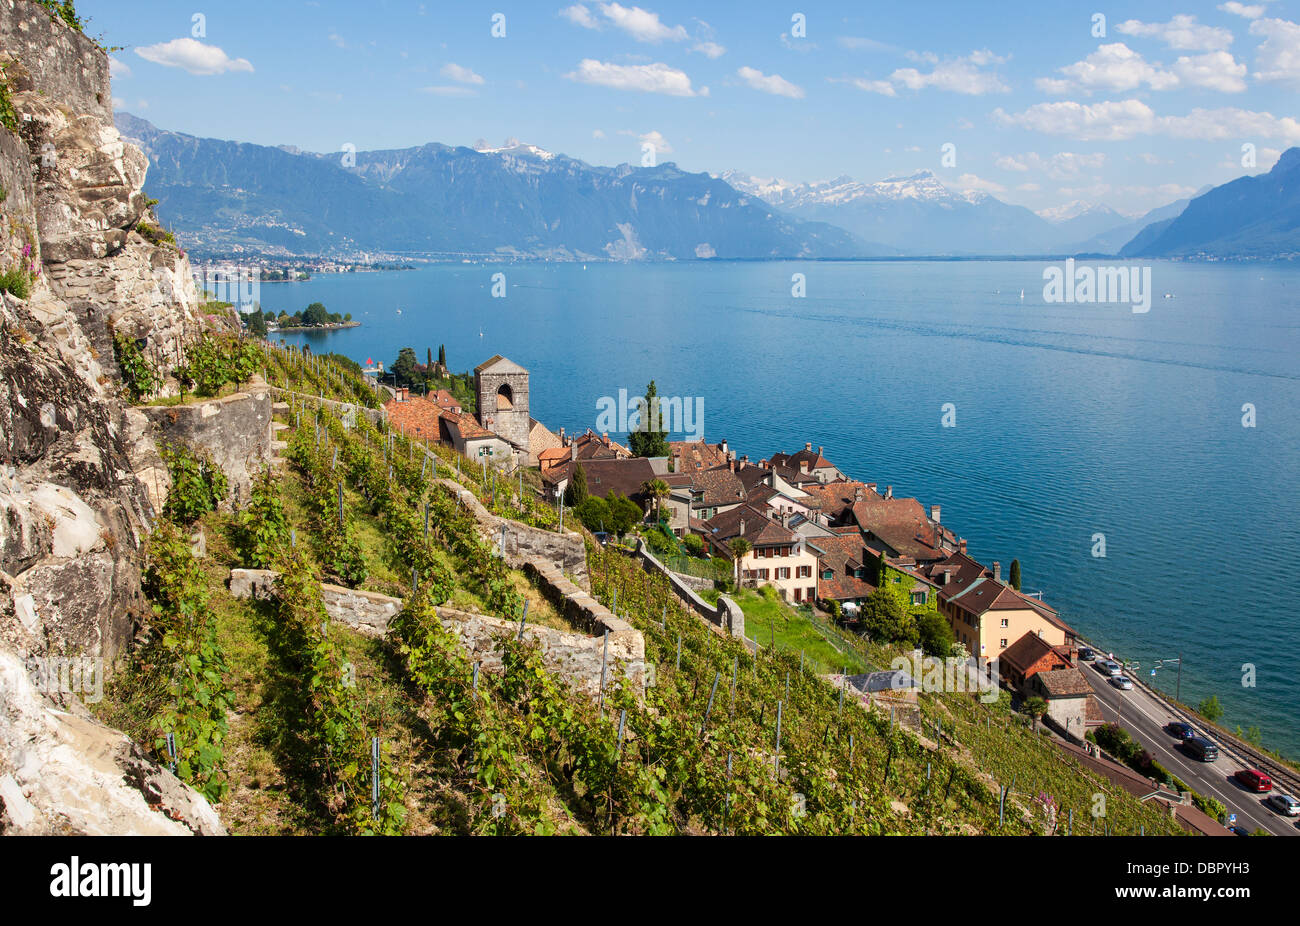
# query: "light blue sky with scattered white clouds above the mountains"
1037,103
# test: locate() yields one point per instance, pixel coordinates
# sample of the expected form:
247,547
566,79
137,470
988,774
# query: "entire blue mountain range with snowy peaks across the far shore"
519,201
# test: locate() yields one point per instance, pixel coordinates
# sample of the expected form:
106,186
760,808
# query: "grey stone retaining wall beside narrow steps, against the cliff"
236,430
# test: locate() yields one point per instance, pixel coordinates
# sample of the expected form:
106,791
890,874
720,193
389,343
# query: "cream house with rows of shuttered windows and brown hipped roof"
778,556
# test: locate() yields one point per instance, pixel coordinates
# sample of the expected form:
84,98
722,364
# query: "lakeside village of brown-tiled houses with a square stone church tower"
792,523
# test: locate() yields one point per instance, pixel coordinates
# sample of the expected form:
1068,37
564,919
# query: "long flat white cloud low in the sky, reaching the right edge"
1121,120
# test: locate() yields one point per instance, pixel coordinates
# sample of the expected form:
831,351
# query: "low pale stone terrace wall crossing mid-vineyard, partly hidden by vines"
574,657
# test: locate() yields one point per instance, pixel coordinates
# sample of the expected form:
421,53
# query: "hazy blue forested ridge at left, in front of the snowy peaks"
435,200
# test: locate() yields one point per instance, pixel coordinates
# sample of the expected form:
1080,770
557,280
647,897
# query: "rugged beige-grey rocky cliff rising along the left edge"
81,478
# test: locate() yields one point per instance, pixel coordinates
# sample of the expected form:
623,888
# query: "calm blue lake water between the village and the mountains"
1072,419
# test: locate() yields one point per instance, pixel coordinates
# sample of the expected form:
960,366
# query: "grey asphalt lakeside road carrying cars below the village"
1145,717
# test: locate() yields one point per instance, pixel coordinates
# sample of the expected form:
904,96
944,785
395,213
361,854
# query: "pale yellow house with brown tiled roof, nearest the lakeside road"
986,615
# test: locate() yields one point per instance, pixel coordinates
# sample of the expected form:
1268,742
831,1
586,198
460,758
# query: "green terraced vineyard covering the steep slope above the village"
722,741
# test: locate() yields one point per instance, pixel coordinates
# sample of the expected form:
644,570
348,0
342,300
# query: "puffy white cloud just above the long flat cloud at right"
1119,68
